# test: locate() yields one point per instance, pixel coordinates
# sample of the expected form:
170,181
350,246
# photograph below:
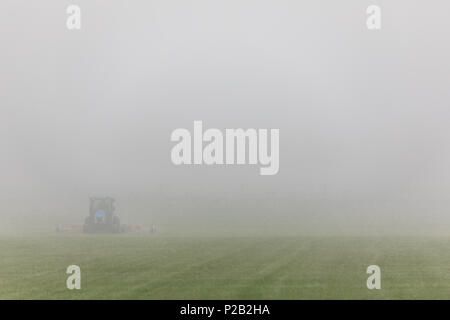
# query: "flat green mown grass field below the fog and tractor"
152,267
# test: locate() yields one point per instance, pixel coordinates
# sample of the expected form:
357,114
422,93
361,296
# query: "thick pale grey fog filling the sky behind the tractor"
363,114
